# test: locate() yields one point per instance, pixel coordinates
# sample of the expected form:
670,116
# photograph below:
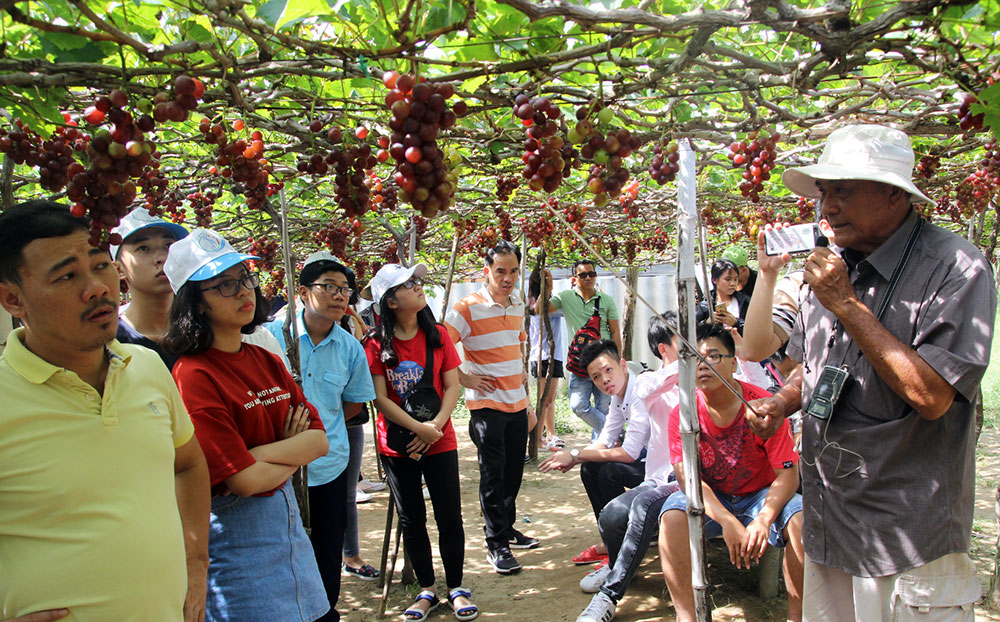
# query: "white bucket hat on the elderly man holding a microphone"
862,152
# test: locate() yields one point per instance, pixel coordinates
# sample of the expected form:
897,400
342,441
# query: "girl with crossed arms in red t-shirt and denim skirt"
255,428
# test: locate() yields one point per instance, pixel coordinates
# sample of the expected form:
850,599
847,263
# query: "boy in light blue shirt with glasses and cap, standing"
335,379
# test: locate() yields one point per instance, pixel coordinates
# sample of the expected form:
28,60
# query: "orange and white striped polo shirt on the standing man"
491,336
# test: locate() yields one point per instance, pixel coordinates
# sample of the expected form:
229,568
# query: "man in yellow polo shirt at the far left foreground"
104,490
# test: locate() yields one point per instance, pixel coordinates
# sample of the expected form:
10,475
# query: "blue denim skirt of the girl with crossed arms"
261,564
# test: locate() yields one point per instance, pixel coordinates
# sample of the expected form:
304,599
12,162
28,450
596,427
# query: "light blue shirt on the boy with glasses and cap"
334,371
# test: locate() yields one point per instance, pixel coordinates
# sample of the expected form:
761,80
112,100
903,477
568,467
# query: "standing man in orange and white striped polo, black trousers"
490,325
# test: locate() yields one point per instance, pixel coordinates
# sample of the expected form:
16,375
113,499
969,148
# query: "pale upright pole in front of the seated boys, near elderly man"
689,427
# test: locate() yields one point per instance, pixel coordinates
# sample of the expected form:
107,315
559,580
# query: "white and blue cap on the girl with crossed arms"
200,256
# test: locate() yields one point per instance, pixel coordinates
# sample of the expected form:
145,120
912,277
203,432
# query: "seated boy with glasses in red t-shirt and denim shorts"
748,483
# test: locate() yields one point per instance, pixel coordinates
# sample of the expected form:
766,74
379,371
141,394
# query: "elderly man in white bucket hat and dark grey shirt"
894,336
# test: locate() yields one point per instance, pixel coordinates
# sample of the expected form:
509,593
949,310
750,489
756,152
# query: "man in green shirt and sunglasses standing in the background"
585,400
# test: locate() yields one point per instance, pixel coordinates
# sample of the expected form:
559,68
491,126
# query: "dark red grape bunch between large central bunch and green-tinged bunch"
544,166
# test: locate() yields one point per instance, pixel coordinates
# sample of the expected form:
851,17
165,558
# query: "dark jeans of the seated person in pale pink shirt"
628,524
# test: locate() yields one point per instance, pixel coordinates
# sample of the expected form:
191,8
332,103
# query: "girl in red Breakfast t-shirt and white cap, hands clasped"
411,448
